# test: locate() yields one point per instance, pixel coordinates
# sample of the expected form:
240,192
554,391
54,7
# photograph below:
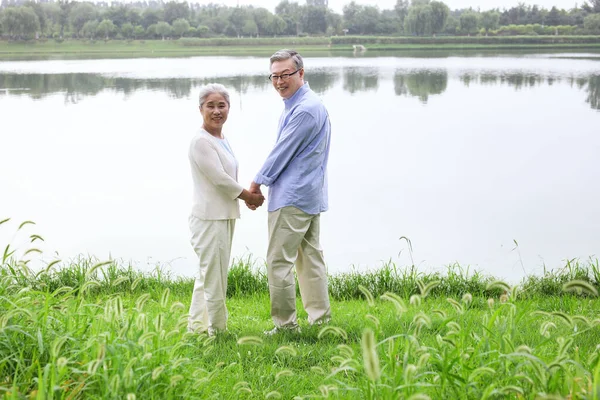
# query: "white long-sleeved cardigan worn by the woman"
214,173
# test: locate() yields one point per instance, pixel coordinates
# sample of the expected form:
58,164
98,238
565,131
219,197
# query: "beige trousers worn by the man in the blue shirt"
294,238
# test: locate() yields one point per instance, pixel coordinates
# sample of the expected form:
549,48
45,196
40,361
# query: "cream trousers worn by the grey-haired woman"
211,241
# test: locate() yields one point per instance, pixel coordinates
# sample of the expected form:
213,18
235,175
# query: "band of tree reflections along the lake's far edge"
412,83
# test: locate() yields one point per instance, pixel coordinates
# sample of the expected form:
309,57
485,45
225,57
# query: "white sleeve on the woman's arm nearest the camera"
206,158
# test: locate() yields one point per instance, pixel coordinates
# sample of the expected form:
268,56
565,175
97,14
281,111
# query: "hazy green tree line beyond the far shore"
152,19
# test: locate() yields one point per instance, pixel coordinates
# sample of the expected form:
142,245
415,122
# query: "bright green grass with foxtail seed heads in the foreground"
89,330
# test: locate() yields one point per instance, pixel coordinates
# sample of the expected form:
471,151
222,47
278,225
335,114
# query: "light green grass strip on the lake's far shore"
258,47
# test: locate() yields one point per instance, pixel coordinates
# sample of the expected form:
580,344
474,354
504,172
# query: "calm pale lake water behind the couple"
464,155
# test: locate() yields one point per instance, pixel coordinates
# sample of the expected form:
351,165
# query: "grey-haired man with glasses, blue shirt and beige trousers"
295,172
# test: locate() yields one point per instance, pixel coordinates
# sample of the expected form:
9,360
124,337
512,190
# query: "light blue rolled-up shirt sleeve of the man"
294,137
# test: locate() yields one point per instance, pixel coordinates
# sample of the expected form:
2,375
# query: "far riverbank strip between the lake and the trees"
265,46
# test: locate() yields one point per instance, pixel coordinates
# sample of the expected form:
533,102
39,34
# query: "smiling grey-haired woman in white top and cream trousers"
215,209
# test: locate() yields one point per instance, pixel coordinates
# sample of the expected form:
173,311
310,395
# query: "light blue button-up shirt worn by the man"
296,169
